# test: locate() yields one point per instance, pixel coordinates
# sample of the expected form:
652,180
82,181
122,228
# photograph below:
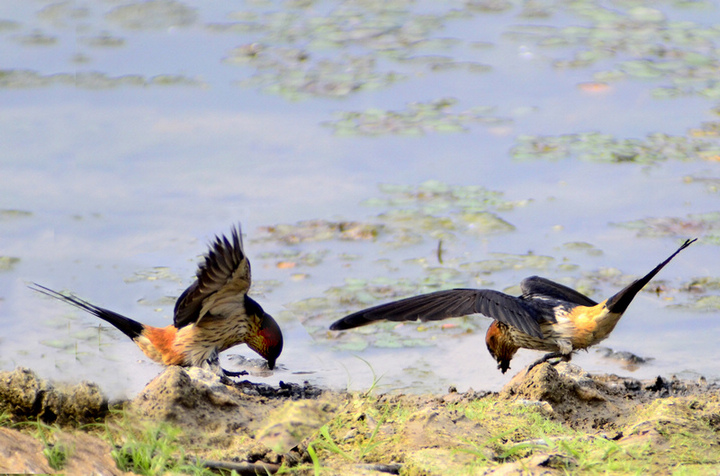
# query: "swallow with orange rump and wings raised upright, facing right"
213,314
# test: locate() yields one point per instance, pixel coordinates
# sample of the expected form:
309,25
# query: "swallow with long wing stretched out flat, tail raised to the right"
547,316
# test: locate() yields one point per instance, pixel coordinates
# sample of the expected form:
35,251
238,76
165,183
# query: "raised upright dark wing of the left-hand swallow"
226,269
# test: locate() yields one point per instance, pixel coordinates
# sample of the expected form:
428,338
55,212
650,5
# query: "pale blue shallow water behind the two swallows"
123,180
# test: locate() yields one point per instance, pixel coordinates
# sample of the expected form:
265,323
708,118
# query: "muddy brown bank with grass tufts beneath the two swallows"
549,421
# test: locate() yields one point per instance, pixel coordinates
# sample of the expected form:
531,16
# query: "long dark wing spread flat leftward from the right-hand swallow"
451,303
